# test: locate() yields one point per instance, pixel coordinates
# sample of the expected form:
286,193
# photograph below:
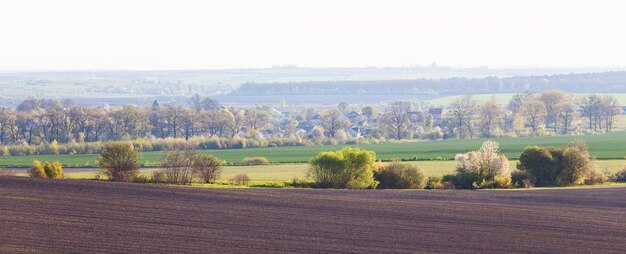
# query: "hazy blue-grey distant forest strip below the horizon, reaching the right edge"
614,82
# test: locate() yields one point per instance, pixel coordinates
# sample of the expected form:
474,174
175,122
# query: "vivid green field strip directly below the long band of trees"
605,147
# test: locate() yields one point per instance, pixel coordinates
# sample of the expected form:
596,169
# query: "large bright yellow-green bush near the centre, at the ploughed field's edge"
350,168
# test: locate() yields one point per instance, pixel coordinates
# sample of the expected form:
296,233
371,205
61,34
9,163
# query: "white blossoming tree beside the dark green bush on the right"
485,162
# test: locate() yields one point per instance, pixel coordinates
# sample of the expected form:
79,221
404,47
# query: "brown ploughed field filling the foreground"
52,216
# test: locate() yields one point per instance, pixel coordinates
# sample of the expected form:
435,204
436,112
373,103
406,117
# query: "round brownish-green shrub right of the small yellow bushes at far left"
119,161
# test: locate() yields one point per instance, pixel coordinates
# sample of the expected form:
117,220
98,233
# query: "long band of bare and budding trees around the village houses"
36,122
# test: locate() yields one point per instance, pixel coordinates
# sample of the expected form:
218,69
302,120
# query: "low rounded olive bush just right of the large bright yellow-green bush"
397,175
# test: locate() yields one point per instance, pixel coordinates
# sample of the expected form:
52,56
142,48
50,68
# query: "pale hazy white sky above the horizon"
177,34
